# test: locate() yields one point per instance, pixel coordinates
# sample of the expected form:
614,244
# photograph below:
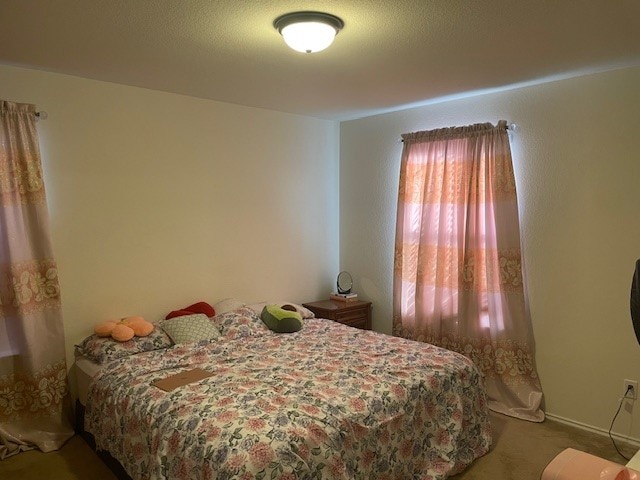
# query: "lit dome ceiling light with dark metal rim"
308,32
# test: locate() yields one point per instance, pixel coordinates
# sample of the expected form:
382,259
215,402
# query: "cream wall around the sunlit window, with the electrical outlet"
577,168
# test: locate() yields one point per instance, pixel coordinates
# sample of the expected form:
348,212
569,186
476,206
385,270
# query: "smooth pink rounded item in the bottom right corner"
572,464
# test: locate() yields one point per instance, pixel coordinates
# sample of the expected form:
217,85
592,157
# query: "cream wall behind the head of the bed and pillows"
159,200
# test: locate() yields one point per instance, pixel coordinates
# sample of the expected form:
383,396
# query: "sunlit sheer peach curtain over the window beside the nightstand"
458,271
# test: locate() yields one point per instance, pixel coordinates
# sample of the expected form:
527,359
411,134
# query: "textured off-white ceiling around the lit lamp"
391,53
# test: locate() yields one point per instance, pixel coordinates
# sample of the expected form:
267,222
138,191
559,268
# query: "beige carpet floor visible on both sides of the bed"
521,450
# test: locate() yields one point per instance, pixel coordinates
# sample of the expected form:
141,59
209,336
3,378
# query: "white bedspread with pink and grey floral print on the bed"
327,402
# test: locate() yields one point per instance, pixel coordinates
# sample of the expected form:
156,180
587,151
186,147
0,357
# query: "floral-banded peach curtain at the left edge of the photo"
34,410
